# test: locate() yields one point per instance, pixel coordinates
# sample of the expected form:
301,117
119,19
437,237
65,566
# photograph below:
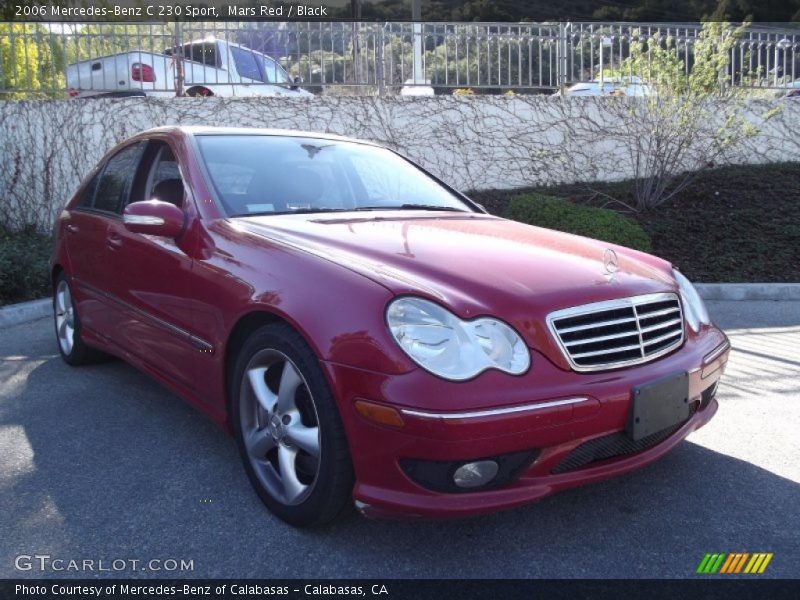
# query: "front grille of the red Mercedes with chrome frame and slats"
618,333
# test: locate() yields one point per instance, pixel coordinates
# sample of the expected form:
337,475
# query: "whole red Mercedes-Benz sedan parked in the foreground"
369,334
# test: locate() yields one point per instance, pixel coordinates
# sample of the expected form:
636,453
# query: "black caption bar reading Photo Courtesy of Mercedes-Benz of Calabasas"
727,588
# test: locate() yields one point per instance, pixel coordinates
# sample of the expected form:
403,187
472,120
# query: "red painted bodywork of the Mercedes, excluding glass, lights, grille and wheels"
171,307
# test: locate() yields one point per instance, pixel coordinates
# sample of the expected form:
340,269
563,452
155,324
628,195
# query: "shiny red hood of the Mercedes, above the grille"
474,264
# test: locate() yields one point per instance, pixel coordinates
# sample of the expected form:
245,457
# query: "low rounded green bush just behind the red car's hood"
599,223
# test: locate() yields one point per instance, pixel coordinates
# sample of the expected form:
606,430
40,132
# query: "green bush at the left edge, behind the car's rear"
23,266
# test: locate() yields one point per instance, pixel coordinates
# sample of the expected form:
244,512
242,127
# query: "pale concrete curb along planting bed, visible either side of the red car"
14,314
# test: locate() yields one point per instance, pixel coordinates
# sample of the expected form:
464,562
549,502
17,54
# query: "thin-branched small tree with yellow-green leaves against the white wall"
688,122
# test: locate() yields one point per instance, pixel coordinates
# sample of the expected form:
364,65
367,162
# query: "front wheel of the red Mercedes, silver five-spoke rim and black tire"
283,414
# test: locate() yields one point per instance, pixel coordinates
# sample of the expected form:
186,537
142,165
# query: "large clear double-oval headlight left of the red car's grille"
440,342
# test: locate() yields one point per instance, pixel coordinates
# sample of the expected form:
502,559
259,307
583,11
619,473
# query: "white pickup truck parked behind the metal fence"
211,67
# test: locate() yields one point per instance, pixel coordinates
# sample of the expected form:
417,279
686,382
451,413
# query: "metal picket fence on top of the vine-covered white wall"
381,58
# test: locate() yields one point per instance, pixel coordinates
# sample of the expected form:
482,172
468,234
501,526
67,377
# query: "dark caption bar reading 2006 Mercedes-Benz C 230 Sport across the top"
497,11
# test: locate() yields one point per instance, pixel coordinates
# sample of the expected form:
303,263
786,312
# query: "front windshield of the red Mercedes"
264,174
